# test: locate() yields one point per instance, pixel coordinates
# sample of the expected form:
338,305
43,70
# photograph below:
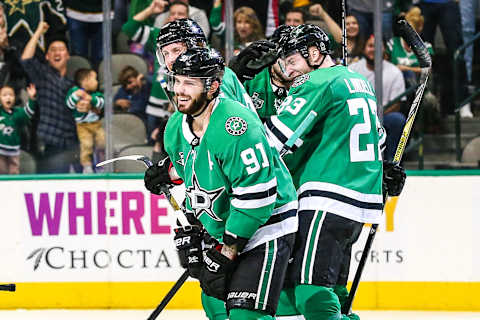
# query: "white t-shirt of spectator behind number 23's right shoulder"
393,81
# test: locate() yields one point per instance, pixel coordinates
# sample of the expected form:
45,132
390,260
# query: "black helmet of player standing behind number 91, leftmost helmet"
181,30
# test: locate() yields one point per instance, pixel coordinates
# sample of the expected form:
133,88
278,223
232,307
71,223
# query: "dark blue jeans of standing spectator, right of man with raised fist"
85,35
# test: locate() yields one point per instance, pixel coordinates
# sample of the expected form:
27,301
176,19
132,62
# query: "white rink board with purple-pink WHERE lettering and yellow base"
105,242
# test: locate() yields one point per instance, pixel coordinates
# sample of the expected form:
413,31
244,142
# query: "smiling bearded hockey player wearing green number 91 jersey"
236,186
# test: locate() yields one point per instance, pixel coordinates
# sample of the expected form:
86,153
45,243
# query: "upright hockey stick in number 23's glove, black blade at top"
425,61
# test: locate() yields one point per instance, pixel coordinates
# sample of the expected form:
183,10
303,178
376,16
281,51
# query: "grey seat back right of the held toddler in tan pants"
127,129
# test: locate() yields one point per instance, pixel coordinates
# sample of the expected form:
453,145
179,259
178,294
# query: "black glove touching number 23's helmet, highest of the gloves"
253,59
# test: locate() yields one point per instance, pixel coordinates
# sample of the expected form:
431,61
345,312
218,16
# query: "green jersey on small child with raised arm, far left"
10,124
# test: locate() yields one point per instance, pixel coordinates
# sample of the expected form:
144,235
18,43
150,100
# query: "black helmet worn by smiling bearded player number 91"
206,64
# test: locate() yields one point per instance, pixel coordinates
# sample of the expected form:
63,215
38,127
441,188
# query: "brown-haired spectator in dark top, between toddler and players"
133,94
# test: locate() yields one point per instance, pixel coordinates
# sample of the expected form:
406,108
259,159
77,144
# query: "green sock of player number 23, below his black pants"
317,302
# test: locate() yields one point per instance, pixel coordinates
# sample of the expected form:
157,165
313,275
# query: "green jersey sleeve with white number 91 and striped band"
247,162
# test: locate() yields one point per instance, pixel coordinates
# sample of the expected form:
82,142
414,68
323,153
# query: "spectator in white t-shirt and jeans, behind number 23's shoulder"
393,85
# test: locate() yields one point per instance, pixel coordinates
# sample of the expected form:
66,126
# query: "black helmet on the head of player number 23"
301,38
